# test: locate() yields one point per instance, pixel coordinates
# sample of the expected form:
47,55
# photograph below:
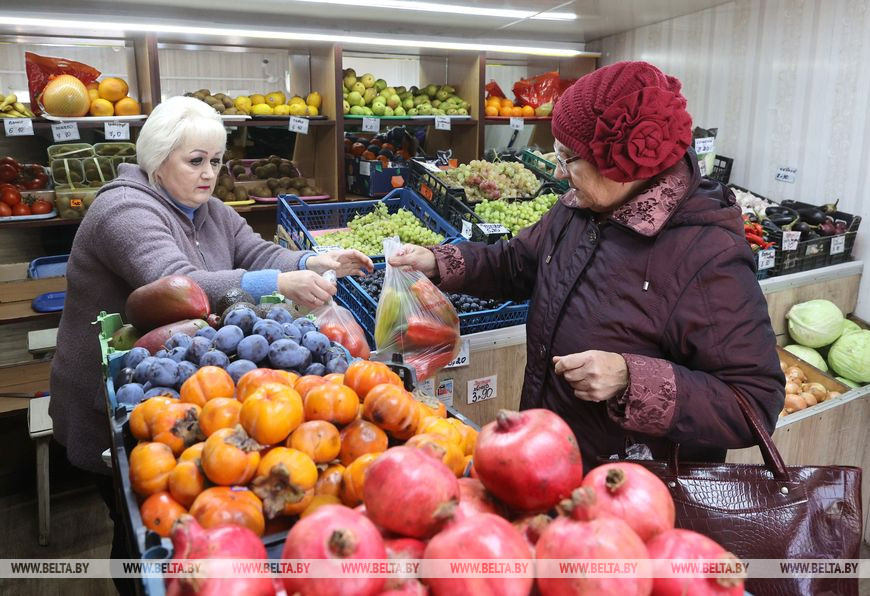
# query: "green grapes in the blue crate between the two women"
367,232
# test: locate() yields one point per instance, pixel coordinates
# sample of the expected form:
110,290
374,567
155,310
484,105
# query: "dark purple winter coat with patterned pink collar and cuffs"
668,281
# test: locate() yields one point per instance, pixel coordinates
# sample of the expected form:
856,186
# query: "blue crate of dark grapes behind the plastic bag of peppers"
363,305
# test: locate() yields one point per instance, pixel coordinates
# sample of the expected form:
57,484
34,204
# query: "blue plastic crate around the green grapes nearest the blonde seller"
301,219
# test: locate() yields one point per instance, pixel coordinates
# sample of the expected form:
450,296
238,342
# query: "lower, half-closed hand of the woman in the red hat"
593,375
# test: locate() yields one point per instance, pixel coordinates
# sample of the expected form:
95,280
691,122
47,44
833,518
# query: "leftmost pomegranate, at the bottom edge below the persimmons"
192,541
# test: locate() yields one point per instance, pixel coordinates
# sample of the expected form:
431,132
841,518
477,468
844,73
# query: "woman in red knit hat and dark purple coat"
645,309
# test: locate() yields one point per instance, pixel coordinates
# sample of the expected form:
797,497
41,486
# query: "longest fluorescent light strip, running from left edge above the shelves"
119,29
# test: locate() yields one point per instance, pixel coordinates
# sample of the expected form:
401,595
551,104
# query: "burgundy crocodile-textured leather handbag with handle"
771,511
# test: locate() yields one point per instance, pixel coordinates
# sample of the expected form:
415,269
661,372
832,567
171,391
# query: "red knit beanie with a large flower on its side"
629,120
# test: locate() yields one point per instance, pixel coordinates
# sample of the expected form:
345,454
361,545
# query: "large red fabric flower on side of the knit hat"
641,134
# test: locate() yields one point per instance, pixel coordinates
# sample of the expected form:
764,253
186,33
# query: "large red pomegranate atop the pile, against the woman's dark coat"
529,460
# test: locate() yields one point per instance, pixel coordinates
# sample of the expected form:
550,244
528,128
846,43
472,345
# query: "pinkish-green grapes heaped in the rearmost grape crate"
484,180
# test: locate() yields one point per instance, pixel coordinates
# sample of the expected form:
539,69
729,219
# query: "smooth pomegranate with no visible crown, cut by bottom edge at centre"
485,536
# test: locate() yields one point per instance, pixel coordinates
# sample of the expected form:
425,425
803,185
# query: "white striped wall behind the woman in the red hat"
787,83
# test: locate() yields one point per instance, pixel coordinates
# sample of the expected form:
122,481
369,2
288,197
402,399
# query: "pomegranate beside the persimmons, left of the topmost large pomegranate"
409,492
